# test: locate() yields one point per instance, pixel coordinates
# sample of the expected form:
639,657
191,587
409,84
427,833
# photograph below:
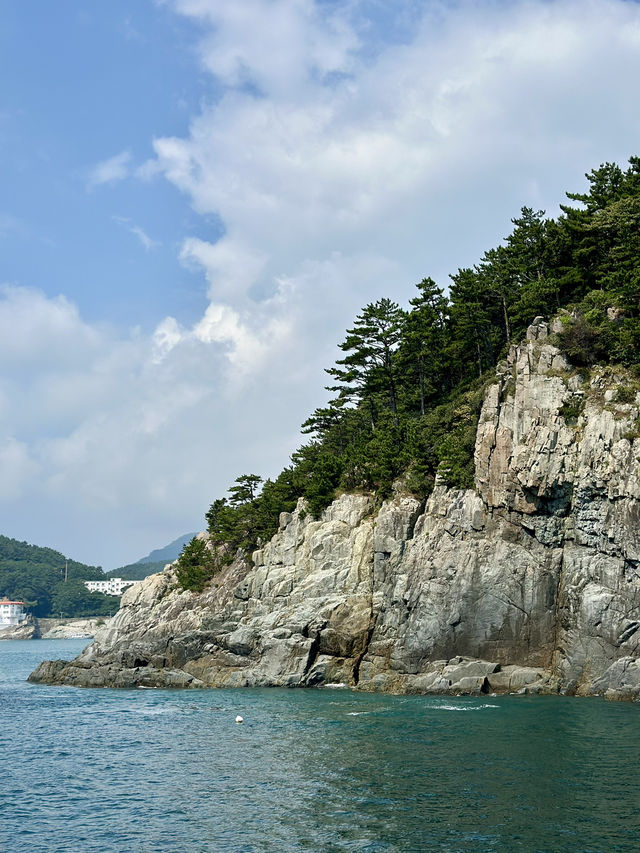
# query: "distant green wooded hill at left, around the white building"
37,576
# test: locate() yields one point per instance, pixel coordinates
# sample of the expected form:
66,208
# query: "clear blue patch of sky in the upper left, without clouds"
82,83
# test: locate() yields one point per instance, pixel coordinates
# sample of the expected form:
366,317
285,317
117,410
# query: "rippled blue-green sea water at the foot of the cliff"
308,770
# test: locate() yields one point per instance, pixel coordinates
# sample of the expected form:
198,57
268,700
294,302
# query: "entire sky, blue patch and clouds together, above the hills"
198,197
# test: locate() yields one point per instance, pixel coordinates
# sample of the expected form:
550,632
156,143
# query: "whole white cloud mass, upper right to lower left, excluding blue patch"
343,166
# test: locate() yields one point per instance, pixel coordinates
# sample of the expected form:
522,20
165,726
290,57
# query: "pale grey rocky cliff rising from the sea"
531,582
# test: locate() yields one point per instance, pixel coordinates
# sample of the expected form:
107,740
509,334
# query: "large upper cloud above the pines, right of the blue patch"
418,154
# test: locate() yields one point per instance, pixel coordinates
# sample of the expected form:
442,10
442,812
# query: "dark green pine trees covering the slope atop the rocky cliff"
409,387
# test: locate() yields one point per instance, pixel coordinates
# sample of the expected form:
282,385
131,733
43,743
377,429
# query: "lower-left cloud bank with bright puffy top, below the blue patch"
111,443
